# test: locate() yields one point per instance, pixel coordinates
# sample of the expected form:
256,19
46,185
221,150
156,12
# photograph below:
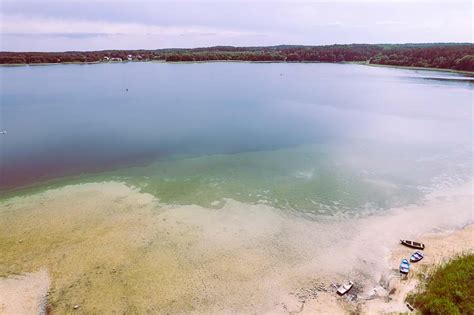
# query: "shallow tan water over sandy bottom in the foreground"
110,248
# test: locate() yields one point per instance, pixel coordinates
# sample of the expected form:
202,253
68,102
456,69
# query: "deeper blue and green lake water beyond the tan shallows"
316,138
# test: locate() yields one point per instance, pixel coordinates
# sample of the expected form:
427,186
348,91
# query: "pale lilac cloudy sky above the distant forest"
62,25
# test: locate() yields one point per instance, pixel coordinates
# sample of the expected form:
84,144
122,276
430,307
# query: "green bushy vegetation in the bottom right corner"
449,290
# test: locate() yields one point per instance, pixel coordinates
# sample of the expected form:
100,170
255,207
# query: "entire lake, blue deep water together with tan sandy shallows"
212,188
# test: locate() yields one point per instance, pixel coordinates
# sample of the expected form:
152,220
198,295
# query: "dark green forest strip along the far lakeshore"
457,56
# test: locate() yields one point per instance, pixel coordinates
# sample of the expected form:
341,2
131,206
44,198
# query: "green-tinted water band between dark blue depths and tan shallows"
317,179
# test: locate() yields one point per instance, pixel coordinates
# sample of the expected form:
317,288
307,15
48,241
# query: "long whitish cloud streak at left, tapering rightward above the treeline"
50,26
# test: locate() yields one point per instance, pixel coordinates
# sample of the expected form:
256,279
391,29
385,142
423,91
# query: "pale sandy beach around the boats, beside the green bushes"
388,297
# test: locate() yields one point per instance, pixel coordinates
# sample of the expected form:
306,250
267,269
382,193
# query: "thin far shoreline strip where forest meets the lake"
365,63
